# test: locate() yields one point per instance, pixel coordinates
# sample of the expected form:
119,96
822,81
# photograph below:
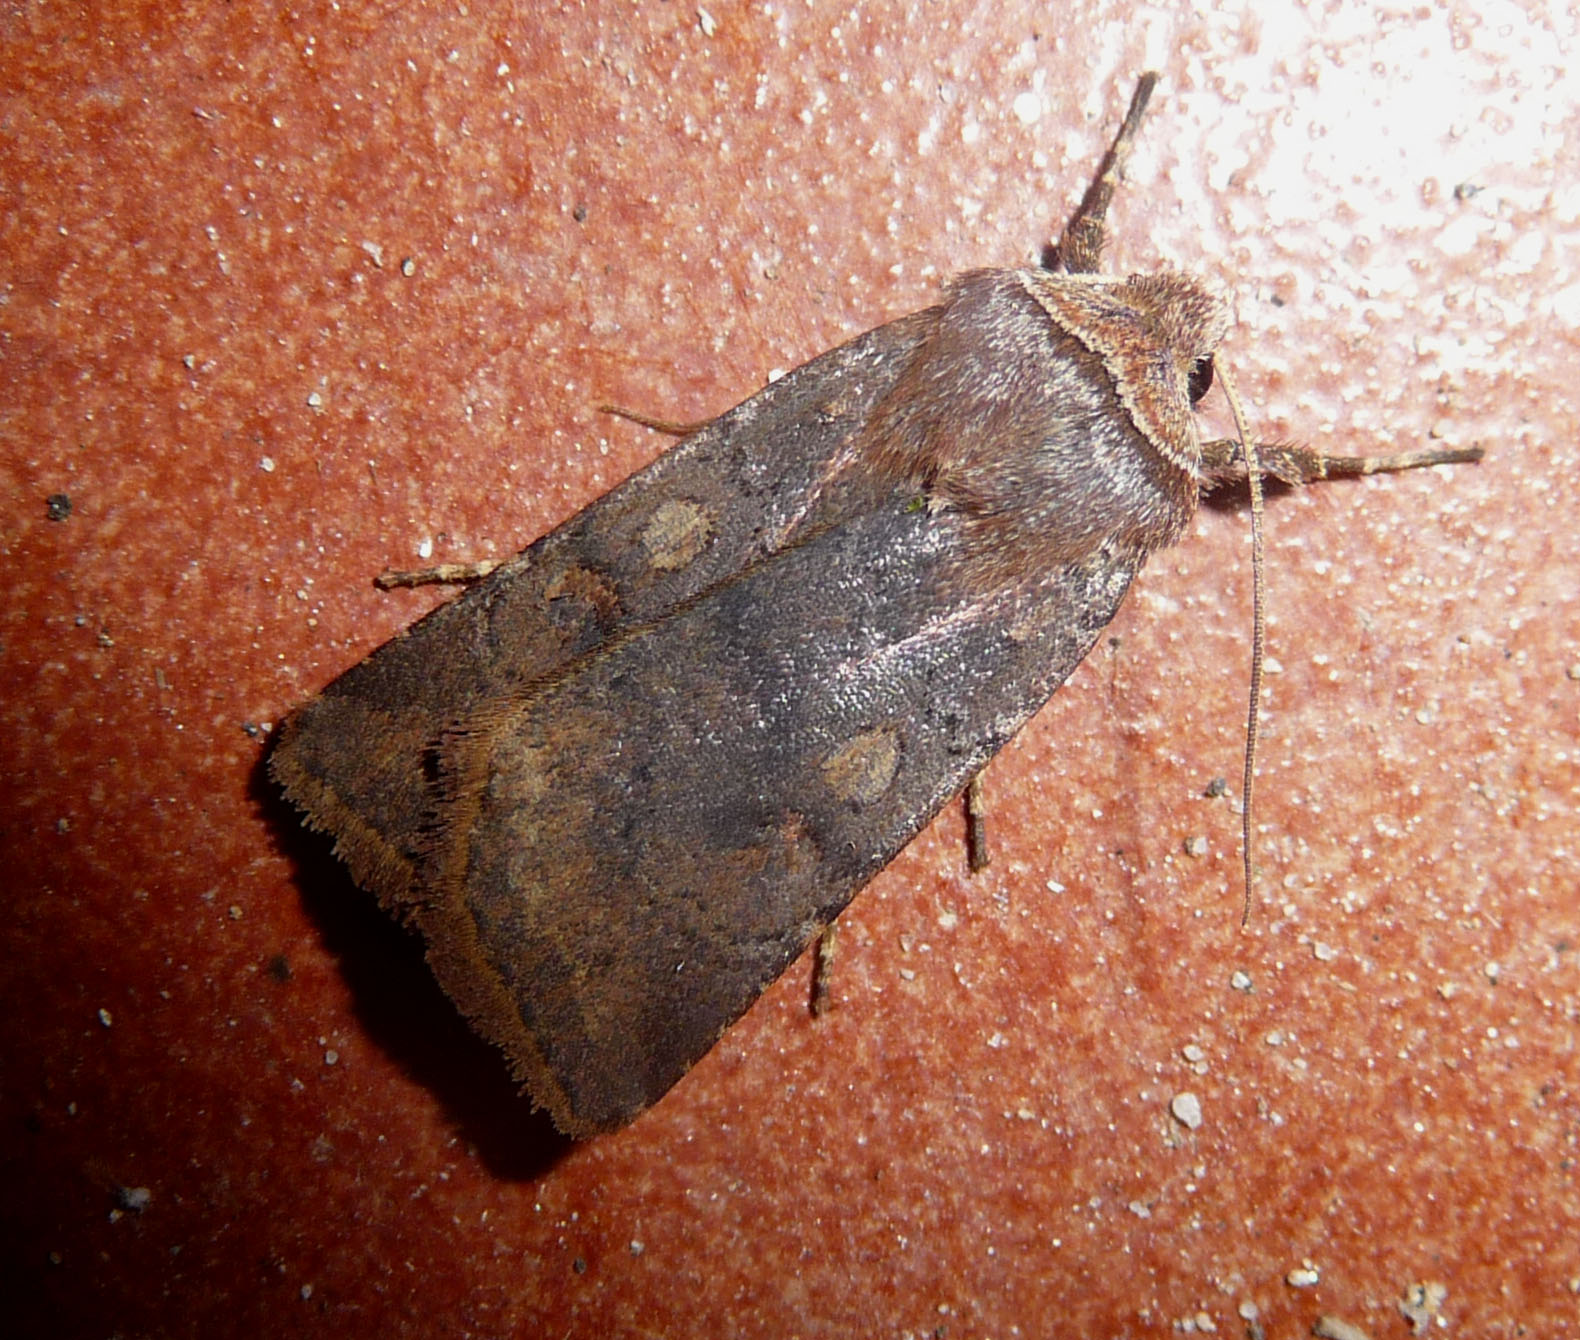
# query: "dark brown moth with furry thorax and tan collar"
622,783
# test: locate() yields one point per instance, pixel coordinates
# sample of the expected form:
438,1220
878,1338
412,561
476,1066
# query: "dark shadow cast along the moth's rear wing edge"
401,1006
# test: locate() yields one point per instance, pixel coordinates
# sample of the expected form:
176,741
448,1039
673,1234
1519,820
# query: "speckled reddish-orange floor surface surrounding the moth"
293,295
